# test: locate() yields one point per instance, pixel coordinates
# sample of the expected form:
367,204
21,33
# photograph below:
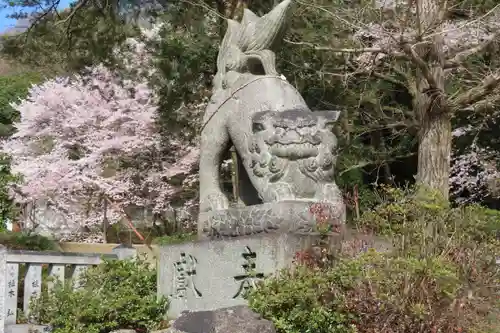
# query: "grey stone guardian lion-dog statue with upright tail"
286,152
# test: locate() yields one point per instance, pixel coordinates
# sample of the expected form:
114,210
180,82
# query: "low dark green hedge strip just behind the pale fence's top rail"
24,241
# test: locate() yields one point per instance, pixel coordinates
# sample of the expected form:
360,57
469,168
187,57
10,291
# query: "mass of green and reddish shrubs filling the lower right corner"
440,277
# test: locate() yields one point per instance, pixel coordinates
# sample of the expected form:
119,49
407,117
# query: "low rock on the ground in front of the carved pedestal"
236,319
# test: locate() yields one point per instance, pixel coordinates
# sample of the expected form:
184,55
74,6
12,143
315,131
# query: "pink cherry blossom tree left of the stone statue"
88,148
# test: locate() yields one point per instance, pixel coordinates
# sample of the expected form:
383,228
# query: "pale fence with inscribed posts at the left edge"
59,264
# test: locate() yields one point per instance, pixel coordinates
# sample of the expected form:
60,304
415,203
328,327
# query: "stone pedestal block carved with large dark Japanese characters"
207,275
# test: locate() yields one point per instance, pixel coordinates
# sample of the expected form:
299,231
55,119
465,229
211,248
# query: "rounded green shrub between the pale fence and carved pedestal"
117,294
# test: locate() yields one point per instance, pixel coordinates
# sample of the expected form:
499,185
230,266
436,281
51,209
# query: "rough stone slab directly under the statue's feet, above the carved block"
286,216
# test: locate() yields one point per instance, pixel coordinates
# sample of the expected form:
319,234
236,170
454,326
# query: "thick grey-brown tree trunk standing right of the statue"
432,107
